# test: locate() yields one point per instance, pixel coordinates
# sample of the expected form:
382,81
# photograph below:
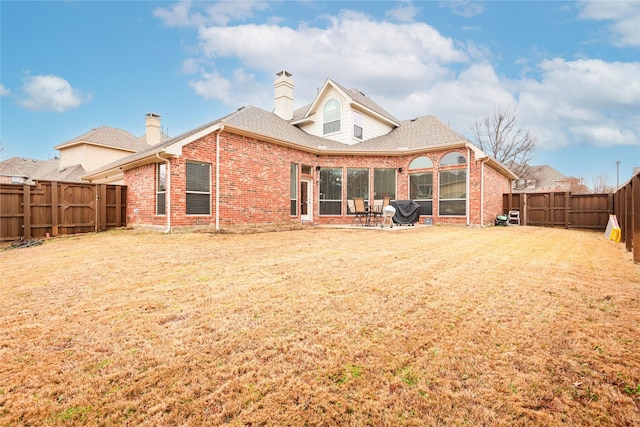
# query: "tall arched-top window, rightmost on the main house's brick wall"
453,185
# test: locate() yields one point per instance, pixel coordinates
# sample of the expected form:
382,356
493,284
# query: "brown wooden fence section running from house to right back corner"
589,211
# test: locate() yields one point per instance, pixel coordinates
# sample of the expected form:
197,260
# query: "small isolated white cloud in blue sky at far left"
50,93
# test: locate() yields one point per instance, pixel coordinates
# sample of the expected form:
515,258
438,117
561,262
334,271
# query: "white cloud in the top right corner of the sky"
623,15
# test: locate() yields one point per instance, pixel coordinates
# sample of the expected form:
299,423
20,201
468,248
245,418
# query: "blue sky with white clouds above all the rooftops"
570,69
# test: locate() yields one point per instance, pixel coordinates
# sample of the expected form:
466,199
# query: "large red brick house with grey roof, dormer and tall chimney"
255,167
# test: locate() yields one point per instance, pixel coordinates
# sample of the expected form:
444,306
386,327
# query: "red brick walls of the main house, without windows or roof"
254,184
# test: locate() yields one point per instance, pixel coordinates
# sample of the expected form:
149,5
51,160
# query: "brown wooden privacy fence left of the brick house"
60,208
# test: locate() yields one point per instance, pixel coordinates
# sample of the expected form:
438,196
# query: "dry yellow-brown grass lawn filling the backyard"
427,326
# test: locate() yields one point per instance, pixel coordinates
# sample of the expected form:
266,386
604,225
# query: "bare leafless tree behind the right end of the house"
499,136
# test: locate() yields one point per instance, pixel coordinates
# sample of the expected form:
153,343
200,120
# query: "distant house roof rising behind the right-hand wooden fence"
545,179
